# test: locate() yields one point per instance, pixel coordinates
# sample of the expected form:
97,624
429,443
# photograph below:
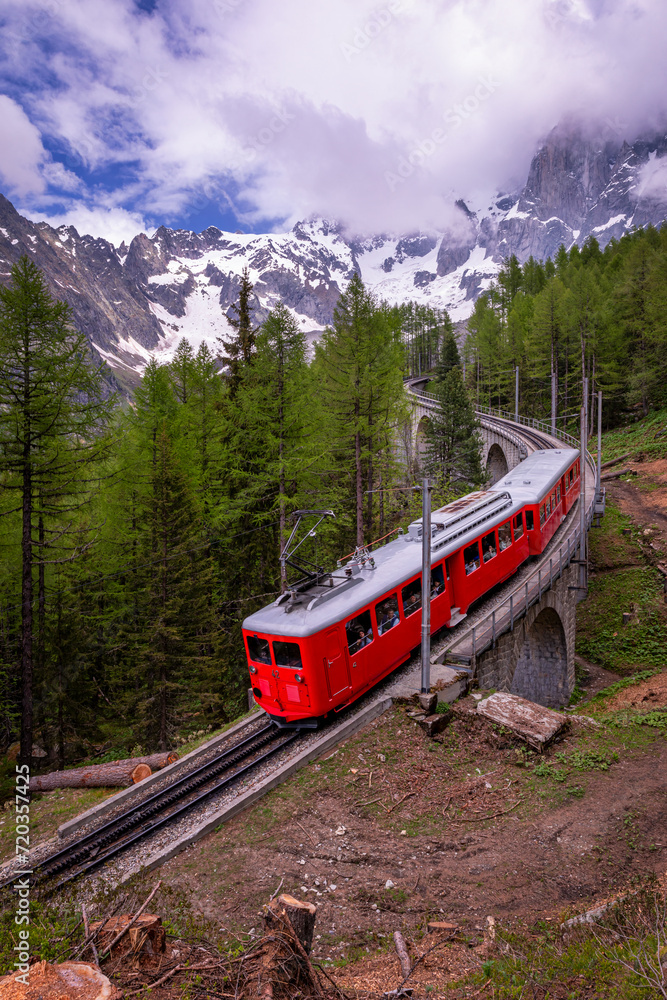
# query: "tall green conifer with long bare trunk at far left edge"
51,412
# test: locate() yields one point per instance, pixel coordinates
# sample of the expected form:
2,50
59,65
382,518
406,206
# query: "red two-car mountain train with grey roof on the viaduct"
321,646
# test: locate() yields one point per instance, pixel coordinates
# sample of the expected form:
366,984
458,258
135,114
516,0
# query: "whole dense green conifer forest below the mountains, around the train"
136,534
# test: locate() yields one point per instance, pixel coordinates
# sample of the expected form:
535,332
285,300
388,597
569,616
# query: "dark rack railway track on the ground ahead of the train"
138,822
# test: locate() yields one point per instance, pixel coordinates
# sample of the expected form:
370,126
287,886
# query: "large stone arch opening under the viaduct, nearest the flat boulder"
540,674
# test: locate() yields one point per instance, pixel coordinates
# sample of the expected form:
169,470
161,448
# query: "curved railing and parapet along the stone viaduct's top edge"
501,618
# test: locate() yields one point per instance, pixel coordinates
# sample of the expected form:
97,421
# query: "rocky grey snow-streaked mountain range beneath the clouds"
140,300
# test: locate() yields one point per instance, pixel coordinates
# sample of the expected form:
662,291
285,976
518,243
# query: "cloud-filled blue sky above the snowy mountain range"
120,115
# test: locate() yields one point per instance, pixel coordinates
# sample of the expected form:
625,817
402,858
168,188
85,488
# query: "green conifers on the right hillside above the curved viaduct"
598,314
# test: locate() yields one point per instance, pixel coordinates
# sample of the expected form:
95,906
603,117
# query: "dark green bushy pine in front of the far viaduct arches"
453,442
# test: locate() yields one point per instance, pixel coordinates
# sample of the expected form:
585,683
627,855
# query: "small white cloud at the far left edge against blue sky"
21,150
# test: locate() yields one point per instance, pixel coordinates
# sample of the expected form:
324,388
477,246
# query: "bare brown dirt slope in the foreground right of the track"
395,830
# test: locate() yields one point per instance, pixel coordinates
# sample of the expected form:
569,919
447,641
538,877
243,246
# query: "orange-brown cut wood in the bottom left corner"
66,981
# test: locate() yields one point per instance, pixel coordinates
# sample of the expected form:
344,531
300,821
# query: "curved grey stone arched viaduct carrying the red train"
520,637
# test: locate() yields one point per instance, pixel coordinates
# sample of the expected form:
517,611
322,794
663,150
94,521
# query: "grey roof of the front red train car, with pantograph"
339,595
